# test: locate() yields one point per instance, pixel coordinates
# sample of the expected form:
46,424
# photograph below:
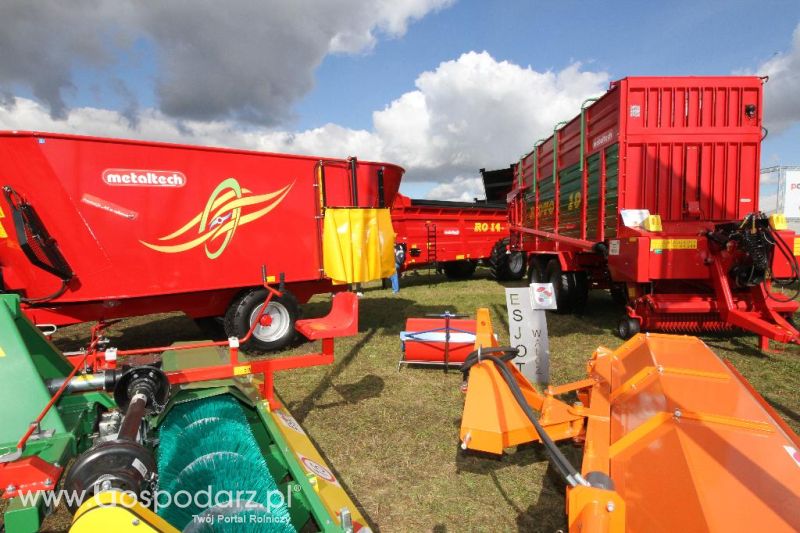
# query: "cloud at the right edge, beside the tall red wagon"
781,97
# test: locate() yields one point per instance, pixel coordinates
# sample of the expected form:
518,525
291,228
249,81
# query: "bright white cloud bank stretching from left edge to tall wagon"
469,113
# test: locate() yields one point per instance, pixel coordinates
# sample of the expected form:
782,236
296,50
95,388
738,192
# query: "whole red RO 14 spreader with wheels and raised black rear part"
454,236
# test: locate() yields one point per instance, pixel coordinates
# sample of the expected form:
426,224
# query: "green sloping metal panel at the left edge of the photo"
26,360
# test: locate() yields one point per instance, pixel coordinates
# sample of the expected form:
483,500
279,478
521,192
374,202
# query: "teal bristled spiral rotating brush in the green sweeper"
210,463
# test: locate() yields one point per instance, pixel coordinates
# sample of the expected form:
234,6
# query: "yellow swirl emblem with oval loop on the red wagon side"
228,207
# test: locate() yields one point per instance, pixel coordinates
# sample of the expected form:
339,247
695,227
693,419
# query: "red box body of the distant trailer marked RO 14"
452,236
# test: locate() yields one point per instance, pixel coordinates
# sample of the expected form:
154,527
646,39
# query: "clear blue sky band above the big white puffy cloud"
633,38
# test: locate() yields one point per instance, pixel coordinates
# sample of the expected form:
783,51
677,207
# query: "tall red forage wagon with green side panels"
652,192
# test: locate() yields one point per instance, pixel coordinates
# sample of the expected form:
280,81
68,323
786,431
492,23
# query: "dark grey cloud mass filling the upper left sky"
239,59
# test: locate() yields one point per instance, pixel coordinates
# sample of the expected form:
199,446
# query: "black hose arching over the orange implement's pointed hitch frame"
562,464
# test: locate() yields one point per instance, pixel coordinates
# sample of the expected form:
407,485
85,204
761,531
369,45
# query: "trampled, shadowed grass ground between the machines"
392,435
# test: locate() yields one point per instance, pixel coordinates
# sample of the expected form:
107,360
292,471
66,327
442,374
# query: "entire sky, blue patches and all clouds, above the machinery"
442,87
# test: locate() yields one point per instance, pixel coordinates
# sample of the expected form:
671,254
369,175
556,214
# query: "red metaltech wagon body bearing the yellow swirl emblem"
152,227
